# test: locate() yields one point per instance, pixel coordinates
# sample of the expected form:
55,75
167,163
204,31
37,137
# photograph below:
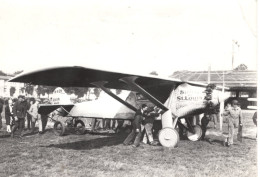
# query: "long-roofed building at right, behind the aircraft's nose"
242,84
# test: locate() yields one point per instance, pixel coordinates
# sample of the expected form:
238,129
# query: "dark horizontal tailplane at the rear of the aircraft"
48,108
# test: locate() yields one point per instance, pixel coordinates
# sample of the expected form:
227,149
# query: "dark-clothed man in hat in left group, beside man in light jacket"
19,113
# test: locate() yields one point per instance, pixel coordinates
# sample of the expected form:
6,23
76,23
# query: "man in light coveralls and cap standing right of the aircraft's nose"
235,118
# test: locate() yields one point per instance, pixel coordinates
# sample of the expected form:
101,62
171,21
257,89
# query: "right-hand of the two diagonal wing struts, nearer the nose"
131,82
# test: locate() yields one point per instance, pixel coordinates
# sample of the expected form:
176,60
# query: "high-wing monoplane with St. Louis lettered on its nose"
176,98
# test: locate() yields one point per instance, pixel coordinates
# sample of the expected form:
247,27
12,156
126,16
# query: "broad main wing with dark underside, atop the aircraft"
76,76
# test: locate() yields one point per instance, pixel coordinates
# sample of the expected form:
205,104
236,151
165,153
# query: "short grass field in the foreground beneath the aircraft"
104,155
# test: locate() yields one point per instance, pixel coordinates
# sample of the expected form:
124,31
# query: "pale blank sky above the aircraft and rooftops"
127,35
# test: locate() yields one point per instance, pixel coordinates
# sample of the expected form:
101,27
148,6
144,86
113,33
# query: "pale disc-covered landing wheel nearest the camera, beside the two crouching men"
169,137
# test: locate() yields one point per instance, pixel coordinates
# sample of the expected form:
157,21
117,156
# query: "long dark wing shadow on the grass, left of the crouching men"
113,140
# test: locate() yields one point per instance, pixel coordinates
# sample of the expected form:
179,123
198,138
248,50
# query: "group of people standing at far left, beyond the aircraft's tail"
18,112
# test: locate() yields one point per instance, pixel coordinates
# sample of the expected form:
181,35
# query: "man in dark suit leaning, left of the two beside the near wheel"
136,132
